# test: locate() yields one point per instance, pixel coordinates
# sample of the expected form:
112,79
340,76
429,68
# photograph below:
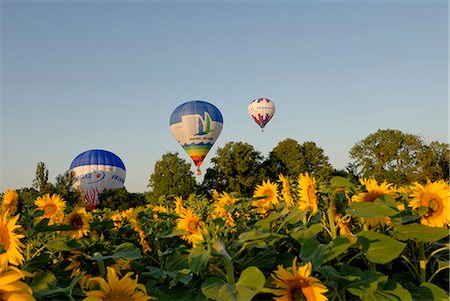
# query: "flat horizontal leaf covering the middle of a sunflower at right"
378,208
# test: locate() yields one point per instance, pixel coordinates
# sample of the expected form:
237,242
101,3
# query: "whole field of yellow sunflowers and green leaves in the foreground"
295,239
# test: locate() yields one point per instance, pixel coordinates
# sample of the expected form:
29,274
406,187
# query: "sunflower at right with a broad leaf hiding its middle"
374,191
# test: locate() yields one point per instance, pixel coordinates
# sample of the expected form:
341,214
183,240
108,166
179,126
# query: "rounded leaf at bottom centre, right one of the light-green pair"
250,283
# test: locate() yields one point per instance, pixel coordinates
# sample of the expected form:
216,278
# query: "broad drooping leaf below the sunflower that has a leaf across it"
380,248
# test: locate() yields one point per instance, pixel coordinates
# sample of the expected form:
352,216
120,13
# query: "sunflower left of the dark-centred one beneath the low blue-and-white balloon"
53,207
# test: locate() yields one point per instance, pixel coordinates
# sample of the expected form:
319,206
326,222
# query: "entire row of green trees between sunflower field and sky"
238,167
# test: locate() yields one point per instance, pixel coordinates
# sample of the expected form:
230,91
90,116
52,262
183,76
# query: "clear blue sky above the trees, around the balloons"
80,75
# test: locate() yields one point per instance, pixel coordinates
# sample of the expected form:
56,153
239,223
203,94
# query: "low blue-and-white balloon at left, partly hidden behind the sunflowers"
96,171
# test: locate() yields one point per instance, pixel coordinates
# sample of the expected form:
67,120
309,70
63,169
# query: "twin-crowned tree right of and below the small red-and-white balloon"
290,158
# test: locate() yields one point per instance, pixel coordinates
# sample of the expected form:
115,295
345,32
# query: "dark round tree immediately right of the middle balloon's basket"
236,168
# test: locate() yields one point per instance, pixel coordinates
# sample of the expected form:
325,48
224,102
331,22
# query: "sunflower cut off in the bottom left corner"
11,287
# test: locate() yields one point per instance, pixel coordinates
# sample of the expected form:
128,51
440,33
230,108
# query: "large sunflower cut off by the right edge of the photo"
435,196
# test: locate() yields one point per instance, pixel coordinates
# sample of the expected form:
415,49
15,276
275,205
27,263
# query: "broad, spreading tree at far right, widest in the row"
396,157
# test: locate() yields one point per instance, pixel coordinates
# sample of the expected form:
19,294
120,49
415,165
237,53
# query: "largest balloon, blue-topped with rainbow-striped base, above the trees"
196,125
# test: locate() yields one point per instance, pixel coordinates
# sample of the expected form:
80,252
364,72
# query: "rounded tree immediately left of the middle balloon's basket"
172,176
